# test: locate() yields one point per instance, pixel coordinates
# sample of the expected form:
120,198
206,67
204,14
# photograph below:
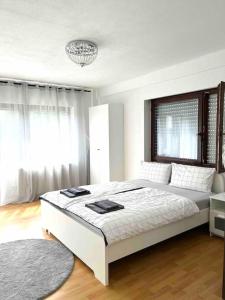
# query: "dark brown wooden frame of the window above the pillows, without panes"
202,96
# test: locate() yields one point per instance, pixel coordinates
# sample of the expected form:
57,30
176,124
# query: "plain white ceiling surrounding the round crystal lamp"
134,37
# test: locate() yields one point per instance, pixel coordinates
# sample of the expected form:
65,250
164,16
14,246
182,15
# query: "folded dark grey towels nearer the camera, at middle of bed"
104,206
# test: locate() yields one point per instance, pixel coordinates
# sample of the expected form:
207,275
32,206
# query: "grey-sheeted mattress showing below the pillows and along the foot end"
201,199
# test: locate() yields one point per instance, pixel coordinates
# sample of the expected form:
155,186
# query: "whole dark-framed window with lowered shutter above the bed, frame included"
184,128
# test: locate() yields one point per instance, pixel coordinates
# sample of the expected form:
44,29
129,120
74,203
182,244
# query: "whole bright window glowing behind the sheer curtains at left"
44,136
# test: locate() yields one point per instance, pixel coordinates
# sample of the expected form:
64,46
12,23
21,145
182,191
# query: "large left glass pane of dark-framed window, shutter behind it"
177,129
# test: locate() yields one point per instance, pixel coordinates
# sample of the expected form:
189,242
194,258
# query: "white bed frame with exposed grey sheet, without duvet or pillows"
89,244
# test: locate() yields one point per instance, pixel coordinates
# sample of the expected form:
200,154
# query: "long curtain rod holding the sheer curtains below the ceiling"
42,84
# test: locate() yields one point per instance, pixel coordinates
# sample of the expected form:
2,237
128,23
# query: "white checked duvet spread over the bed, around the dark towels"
145,209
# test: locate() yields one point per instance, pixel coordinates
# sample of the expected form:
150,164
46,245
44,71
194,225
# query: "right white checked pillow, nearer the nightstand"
191,177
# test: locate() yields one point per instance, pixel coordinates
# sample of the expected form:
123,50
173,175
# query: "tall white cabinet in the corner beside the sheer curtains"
106,129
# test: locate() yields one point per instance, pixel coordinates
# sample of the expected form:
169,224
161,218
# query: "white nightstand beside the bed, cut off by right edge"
217,214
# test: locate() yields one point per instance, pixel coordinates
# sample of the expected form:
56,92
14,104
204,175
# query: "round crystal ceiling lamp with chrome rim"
82,52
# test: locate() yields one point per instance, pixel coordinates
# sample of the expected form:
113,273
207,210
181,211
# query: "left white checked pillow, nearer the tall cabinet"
155,172
